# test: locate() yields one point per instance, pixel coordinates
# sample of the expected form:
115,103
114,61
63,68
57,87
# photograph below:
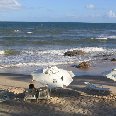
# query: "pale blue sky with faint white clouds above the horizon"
94,11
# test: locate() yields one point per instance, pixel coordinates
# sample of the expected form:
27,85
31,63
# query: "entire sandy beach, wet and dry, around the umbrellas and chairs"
74,100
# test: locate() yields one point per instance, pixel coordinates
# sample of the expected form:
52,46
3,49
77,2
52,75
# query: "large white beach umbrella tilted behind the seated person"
53,77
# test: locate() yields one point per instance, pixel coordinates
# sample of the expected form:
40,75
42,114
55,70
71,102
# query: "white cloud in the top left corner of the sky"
9,4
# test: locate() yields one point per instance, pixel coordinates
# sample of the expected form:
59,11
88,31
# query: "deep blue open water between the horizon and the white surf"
57,34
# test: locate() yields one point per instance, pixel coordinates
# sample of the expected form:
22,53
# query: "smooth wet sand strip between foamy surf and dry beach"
97,68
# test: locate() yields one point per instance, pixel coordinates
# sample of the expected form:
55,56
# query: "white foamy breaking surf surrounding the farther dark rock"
40,58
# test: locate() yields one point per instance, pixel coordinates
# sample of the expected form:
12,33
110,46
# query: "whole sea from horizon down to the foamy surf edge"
41,44
